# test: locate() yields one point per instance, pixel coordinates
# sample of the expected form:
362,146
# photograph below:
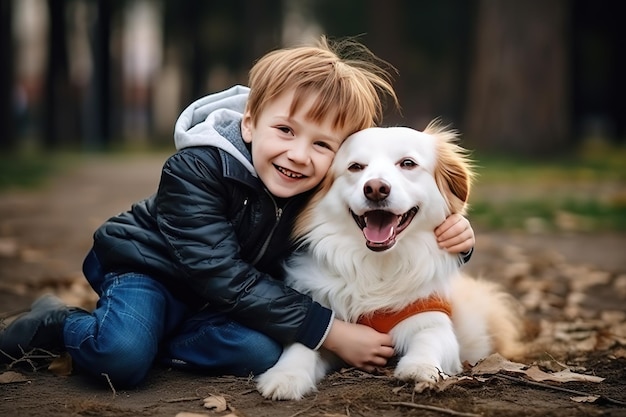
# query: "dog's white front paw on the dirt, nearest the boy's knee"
284,384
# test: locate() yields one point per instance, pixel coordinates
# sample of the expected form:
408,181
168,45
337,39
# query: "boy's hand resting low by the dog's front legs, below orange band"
359,345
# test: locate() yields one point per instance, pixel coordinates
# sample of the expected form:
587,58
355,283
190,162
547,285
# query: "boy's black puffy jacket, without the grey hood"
216,237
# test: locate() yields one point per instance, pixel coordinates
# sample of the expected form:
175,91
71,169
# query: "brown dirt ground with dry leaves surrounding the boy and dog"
573,288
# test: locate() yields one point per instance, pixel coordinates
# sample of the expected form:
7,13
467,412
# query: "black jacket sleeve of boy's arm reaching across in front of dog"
192,216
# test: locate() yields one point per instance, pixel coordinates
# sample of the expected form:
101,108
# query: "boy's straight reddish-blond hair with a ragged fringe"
349,82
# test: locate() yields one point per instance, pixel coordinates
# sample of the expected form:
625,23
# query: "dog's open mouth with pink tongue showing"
380,228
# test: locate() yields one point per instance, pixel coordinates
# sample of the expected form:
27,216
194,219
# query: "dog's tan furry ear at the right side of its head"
453,170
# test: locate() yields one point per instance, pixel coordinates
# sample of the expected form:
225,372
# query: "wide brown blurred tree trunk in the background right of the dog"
518,93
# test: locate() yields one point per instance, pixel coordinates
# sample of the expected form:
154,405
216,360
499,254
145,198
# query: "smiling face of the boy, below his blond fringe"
290,154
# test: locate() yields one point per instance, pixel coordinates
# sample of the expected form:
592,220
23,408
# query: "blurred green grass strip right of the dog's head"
579,193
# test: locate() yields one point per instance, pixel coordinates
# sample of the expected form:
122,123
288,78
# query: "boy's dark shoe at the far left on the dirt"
39,328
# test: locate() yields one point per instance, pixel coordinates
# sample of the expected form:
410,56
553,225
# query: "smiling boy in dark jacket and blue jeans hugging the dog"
192,275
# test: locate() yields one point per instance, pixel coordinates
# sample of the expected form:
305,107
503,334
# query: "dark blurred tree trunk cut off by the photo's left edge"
7,111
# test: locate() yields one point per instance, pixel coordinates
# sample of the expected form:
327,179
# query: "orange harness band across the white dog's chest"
383,320
